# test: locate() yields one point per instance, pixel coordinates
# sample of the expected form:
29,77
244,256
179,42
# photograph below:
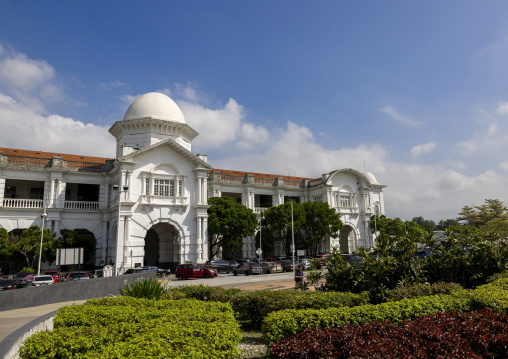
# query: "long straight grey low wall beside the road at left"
67,291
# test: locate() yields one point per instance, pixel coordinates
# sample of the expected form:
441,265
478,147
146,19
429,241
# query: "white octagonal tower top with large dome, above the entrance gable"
151,118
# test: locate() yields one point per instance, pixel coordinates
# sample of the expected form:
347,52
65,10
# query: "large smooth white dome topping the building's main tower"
154,105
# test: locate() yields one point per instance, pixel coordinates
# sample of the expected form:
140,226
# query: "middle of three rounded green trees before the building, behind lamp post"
277,222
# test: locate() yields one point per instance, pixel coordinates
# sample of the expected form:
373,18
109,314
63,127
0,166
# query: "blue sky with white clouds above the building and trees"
415,92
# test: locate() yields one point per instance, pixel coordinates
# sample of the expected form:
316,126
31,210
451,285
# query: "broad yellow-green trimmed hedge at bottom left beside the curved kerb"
126,327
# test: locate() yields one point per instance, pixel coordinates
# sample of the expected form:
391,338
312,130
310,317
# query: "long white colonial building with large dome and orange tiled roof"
148,206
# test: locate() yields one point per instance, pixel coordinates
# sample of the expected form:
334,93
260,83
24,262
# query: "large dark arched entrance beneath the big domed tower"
161,246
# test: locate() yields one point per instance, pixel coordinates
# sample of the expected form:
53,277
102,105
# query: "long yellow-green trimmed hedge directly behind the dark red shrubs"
285,323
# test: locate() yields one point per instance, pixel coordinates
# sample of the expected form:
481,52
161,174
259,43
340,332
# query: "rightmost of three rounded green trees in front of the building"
320,221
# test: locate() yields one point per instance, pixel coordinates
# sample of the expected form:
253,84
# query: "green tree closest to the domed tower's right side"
228,223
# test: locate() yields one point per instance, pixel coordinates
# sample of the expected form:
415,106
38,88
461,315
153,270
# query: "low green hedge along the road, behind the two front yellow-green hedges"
256,305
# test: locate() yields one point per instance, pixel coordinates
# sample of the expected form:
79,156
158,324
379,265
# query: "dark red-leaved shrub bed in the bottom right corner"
481,334
